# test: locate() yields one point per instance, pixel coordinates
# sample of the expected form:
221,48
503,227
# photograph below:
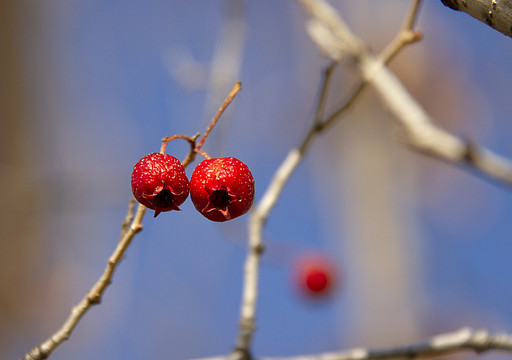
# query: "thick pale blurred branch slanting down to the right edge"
333,37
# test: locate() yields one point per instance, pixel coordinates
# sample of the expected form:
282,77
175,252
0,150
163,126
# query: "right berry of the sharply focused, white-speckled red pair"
222,189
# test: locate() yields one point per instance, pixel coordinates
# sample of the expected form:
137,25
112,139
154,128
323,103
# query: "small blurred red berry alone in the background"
315,275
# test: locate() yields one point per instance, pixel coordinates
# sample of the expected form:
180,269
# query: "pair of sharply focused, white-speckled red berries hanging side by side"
221,189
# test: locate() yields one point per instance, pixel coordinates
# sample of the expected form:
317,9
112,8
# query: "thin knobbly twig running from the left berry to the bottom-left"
94,295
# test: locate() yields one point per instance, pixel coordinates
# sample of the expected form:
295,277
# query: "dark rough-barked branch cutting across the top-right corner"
495,13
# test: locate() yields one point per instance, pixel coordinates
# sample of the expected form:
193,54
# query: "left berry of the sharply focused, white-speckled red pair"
159,182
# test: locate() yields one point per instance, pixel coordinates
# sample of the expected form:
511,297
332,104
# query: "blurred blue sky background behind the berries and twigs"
102,96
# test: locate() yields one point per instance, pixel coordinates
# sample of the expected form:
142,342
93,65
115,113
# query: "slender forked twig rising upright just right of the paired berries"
262,210
